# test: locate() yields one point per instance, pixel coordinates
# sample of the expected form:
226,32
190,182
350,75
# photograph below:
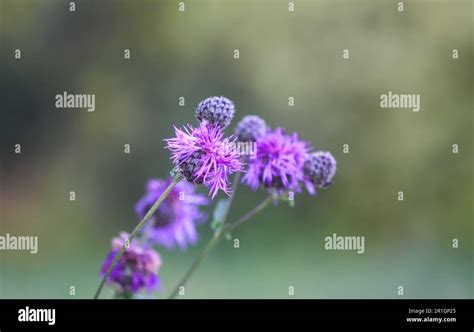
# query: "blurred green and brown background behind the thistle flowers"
282,54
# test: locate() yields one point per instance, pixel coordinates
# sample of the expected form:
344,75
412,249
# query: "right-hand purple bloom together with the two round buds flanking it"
283,162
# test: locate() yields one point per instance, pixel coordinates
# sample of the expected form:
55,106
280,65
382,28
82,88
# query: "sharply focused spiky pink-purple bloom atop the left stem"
202,155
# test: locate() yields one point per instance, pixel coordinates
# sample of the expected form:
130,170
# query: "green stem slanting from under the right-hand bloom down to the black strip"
218,235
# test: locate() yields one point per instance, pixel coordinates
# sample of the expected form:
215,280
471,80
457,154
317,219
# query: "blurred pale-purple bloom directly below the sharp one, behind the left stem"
174,222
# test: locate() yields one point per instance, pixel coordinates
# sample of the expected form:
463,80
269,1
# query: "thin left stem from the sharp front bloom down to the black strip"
137,229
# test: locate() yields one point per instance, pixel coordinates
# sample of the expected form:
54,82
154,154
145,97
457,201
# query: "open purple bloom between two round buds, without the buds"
278,162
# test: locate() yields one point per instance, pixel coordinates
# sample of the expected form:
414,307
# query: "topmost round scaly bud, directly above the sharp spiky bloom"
216,110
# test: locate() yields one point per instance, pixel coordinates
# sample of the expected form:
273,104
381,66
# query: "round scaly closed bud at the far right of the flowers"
319,169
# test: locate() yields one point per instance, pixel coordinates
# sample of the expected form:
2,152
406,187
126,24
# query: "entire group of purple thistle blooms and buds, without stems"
202,155
